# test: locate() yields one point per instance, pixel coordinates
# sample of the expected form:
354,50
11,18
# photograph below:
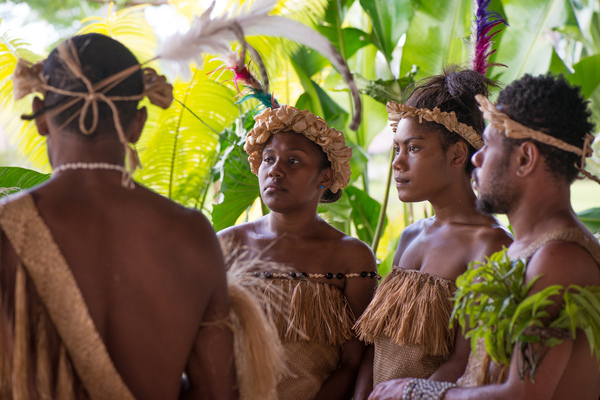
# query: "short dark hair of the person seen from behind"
100,57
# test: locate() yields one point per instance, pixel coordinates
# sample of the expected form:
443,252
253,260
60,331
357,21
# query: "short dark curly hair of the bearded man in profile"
548,103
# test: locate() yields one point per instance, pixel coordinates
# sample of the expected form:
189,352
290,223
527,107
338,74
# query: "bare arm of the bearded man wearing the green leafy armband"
550,375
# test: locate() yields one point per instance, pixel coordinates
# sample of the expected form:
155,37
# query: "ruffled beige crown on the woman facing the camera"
287,118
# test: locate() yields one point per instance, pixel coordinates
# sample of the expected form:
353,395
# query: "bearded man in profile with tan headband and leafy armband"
534,147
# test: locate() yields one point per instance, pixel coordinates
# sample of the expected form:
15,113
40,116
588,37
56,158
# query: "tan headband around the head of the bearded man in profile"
515,130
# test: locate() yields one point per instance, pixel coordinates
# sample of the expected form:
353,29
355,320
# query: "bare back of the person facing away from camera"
150,273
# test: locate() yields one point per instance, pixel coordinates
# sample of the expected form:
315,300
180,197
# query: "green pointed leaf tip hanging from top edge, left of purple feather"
389,20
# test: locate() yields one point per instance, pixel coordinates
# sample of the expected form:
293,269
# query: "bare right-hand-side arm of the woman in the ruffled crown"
358,292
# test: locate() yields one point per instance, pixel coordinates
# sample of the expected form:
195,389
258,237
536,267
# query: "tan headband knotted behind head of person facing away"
28,78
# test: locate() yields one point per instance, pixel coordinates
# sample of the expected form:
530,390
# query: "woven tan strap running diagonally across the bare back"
58,290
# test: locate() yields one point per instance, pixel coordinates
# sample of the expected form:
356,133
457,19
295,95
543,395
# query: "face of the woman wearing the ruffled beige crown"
290,173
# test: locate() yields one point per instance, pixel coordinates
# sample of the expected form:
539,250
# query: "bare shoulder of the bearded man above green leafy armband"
563,263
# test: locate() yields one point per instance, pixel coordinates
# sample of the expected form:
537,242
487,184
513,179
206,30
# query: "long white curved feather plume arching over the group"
213,34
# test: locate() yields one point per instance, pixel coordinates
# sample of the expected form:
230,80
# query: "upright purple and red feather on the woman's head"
481,38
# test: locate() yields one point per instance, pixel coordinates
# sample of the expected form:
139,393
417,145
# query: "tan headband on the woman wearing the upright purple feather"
447,119
